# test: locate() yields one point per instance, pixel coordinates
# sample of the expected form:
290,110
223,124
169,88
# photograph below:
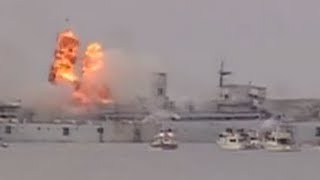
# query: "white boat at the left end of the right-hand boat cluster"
233,140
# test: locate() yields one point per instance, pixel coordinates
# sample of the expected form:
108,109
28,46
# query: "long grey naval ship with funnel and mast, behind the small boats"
237,106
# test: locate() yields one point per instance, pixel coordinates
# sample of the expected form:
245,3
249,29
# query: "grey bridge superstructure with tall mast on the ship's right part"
234,102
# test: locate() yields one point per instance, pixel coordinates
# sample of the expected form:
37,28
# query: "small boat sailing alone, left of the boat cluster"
165,140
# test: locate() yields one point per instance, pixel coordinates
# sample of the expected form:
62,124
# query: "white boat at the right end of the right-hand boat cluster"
280,139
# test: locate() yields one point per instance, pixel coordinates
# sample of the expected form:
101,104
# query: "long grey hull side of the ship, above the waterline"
191,131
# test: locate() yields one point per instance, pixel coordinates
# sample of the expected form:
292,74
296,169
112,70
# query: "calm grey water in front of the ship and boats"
139,162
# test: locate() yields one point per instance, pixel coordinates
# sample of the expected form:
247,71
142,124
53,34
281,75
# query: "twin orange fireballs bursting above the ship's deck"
88,86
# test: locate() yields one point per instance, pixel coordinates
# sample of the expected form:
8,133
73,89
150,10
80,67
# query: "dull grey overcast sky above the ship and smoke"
273,43
